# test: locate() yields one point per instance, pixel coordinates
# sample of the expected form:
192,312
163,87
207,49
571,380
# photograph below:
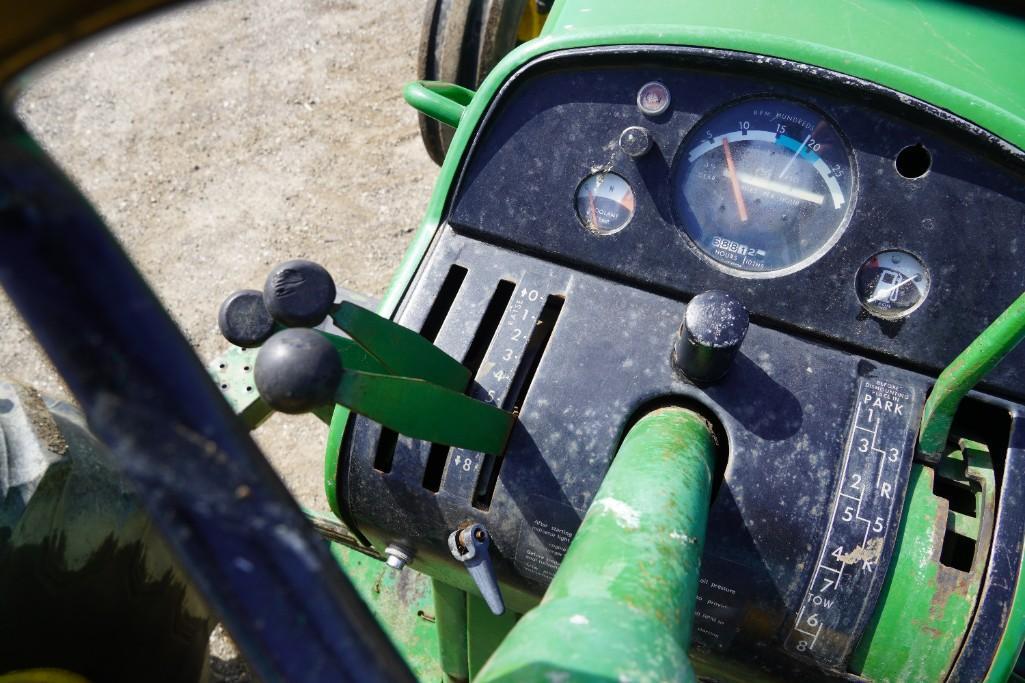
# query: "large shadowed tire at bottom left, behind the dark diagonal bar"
87,586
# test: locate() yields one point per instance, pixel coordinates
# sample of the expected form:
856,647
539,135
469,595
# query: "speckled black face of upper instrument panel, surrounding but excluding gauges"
964,218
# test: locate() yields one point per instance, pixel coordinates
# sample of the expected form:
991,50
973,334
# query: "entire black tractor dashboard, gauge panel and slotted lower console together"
870,236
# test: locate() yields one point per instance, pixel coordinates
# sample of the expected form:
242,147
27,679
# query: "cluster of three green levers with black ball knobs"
385,372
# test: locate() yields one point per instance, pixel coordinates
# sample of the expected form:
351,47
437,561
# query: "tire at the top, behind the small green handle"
462,43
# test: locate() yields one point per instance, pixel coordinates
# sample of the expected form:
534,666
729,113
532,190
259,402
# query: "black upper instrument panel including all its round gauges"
830,207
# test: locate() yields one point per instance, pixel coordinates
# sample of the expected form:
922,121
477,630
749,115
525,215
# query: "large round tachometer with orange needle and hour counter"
764,186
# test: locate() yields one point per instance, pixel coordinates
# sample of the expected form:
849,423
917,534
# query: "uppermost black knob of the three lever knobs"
299,294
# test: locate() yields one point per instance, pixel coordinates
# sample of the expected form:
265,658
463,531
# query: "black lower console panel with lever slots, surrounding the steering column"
787,408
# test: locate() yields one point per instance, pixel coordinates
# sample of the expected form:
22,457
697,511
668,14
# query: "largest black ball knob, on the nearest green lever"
298,371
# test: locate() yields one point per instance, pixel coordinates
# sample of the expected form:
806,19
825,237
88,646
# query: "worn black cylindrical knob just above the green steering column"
714,329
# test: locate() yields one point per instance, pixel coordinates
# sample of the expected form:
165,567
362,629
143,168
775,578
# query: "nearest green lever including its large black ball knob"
299,371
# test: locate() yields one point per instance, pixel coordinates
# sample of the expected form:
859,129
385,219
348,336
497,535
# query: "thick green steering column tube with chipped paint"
622,606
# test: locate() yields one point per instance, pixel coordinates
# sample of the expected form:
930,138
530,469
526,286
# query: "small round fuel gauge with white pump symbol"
892,285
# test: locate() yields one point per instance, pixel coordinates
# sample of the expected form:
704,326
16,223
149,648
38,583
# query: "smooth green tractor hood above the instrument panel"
958,57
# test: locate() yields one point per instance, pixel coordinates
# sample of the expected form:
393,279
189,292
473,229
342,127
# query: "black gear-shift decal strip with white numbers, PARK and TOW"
864,524
